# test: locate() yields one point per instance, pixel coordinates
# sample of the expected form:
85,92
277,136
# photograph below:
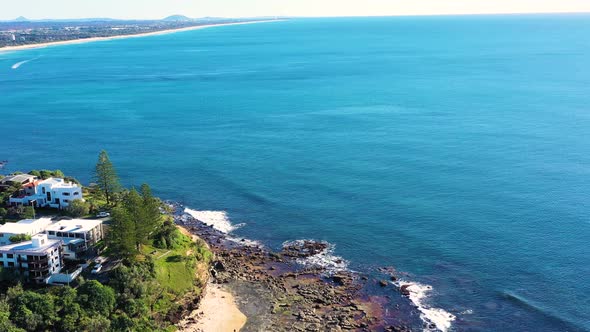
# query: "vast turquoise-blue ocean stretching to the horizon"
453,148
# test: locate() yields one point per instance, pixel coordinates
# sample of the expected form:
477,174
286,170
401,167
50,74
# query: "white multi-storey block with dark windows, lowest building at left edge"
37,259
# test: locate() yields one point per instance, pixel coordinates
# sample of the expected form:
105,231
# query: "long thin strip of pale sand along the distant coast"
147,34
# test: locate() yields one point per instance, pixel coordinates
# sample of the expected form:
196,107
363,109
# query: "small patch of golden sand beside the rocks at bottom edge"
217,312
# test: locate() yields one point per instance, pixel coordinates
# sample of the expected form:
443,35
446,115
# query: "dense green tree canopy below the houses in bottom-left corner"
129,305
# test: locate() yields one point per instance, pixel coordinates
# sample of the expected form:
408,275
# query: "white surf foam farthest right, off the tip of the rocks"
418,294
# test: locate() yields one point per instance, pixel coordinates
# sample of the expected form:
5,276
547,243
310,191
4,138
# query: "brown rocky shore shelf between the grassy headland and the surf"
277,293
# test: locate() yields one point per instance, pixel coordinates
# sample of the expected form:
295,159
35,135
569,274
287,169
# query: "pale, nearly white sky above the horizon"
149,9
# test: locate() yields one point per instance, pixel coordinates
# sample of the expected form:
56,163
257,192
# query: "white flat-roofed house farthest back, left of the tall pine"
53,192
